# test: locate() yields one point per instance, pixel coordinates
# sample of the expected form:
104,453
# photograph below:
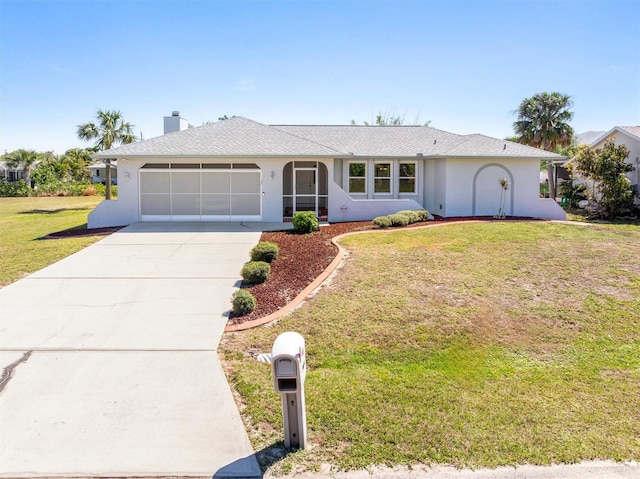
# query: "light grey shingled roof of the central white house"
240,137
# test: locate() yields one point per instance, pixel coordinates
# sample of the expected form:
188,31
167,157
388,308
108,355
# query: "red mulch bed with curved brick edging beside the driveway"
301,259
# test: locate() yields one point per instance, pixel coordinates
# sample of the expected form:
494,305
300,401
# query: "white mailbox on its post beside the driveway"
289,366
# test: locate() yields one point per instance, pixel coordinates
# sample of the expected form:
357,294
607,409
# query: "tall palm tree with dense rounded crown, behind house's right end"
543,123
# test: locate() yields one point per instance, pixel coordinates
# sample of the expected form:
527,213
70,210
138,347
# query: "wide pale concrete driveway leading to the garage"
109,358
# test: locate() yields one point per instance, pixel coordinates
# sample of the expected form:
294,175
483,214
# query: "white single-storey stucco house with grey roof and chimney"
241,170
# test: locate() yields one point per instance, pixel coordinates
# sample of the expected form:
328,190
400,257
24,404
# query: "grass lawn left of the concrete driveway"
24,221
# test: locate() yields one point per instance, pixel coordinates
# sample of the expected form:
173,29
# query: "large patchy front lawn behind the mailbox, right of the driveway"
472,344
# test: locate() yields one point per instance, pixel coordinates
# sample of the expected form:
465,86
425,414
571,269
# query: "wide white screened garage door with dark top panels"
200,192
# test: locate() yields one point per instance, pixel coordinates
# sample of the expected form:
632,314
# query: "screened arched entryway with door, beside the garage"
305,187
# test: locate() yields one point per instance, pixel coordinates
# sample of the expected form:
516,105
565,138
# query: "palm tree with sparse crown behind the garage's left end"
111,129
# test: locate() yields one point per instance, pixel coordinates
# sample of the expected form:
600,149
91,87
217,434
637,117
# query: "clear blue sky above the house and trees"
464,65
